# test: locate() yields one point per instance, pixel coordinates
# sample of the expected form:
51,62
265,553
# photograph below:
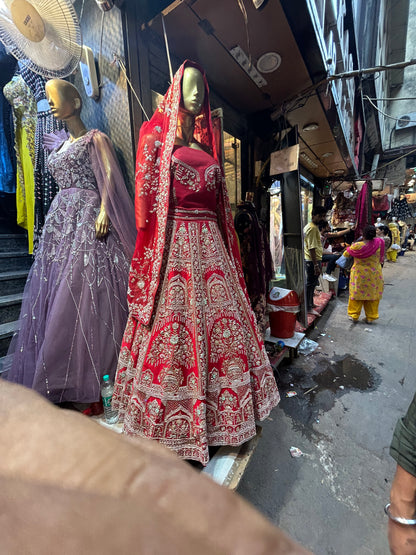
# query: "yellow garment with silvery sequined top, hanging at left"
24,119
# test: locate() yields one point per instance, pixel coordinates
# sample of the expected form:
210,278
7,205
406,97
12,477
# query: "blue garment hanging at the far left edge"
7,156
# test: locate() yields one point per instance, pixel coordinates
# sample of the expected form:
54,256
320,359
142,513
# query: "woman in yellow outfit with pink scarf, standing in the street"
366,279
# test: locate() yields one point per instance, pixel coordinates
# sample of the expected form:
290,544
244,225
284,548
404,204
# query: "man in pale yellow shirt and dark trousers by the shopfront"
313,255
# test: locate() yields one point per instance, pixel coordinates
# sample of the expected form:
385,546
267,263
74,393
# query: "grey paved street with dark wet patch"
331,500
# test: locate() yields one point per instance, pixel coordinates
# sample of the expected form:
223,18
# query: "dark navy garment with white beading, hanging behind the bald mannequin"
45,185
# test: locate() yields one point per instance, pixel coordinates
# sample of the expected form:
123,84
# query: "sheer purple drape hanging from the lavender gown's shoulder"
113,191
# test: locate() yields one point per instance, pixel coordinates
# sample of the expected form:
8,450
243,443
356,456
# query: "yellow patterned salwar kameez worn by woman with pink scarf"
366,284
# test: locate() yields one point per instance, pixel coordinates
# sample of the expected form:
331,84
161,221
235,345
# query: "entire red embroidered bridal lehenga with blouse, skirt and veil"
192,370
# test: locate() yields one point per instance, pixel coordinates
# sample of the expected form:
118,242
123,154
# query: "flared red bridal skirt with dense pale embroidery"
199,374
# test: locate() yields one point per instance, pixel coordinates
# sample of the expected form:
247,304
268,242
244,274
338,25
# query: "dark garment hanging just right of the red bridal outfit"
255,259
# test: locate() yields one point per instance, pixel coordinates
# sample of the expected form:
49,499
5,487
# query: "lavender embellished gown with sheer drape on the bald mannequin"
74,309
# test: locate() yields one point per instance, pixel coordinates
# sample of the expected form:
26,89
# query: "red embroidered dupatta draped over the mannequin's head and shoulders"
153,181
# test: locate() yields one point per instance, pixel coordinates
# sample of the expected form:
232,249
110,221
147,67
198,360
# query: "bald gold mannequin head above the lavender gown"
64,99
